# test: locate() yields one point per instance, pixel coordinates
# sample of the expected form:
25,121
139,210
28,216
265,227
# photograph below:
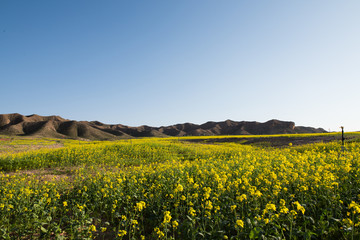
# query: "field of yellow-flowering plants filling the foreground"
168,189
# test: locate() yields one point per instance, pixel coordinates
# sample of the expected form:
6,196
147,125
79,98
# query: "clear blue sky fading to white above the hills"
161,62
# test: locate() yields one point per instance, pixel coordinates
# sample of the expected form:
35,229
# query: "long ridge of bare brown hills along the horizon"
57,127
